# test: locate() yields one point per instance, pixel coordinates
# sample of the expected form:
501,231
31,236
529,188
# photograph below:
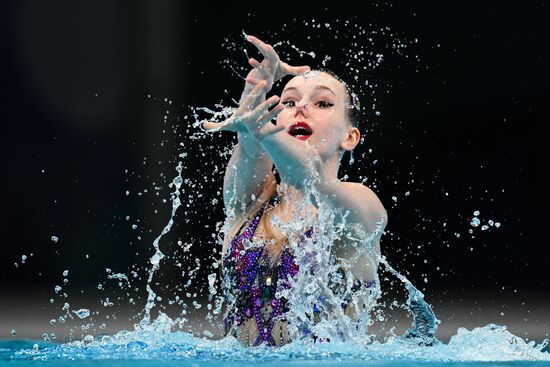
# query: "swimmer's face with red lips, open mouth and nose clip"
316,111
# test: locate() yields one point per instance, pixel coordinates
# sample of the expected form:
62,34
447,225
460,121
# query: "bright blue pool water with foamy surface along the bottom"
491,345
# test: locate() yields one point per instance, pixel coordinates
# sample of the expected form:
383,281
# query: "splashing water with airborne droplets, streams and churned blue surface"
349,337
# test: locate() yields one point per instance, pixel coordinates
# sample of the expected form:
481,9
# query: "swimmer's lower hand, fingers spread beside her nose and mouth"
251,117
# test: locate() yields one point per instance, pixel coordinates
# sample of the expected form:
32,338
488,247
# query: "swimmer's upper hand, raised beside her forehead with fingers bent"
271,68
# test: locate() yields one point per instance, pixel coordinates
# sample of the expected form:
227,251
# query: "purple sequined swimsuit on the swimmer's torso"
255,272
